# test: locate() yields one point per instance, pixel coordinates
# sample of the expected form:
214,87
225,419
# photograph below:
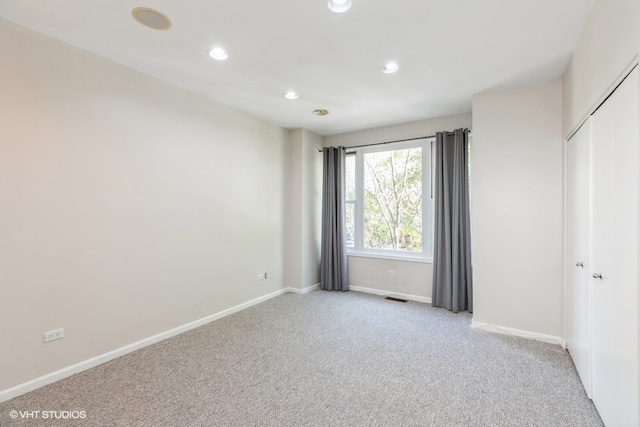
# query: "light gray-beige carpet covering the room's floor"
324,359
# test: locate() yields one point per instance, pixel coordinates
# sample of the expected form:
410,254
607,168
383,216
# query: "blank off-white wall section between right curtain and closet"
517,209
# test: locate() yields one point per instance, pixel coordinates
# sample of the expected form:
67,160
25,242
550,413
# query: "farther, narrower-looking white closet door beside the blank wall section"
578,308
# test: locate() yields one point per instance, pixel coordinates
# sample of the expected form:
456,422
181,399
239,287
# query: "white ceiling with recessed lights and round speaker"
447,50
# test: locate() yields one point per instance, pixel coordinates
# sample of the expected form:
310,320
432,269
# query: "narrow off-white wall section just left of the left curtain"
302,212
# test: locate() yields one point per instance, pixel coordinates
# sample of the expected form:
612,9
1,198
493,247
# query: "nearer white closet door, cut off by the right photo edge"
614,242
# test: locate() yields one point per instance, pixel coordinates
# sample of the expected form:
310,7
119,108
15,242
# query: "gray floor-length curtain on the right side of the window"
452,280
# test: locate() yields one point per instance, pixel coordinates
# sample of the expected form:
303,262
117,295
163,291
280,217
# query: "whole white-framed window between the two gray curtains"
388,200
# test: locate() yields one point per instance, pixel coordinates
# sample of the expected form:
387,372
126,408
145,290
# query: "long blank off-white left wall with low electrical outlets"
128,206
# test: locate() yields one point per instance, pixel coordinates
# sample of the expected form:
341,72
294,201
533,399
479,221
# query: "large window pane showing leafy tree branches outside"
393,200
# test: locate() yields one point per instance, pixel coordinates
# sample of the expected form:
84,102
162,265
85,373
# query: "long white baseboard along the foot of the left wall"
52,377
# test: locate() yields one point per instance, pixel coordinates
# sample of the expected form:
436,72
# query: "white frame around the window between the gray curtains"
427,203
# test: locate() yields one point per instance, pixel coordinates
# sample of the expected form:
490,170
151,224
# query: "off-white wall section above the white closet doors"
604,51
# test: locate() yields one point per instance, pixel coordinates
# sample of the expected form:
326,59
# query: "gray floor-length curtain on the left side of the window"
333,255
